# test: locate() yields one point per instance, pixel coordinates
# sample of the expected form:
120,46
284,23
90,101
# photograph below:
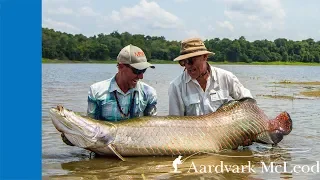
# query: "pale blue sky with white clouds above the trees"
180,19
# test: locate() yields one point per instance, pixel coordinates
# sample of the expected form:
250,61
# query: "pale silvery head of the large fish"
82,131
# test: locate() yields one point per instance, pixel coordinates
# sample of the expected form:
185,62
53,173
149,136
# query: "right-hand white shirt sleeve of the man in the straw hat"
238,91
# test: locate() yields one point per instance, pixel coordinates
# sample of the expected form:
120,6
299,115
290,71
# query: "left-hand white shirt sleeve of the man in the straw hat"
176,106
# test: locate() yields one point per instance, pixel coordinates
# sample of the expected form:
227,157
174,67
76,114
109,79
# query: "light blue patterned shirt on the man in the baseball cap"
102,104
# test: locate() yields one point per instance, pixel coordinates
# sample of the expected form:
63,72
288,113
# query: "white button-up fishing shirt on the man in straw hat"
186,97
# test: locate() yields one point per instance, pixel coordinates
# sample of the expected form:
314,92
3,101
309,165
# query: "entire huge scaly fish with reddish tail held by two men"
233,125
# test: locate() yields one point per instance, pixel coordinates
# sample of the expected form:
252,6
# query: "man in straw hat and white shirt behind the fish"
201,88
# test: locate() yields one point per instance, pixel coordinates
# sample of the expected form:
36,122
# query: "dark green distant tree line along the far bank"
64,46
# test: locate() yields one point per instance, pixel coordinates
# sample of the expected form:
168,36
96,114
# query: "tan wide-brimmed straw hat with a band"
192,47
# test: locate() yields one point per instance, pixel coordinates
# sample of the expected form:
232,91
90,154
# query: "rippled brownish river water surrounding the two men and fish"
296,156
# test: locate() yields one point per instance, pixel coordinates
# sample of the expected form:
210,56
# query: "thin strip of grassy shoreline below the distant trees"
55,61
